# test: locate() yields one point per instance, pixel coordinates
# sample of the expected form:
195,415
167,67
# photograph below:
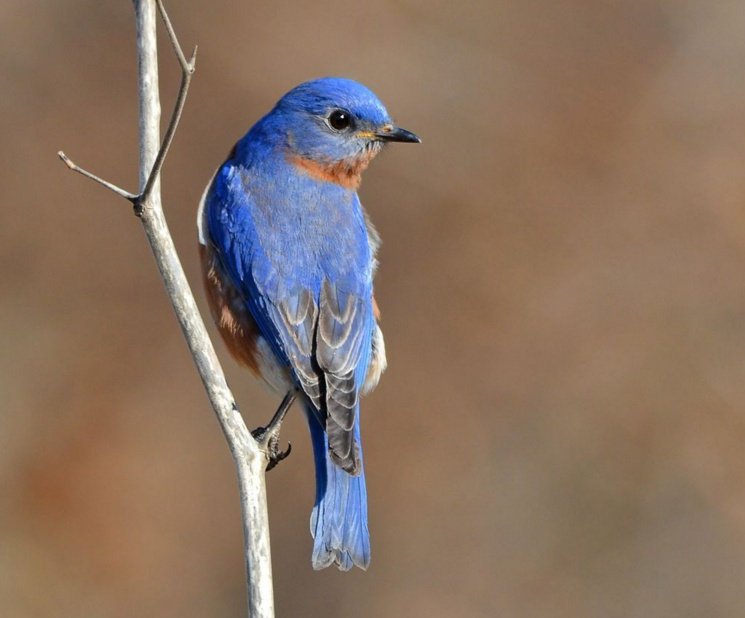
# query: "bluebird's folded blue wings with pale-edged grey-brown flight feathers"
318,321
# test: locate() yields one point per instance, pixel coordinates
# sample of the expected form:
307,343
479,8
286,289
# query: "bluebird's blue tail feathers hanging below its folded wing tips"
339,519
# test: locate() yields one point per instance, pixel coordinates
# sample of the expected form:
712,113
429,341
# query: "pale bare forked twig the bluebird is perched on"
250,460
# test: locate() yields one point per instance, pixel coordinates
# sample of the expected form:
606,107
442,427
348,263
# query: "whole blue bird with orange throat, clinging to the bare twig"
288,258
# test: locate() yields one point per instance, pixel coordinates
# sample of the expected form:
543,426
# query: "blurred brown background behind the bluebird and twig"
560,431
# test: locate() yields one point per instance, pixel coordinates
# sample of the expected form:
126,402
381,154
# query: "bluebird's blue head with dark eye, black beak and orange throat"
333,127
